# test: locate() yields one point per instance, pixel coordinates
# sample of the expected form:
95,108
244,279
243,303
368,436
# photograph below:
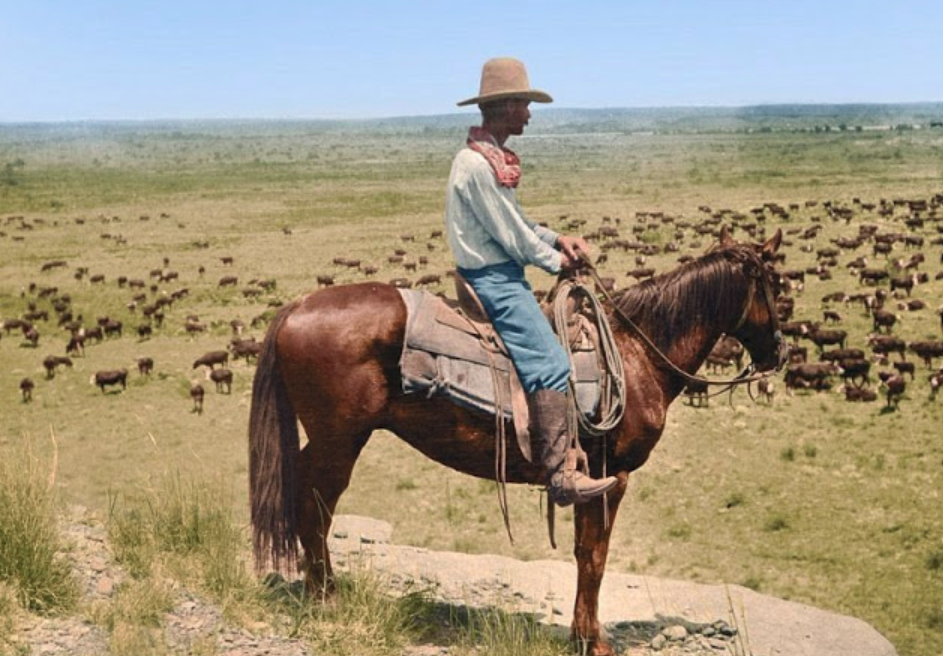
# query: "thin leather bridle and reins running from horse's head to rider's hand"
749,374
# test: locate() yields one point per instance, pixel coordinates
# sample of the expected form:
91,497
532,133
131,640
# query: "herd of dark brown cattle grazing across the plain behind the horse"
855,314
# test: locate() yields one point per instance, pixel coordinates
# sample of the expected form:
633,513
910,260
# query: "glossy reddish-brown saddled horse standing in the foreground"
331,359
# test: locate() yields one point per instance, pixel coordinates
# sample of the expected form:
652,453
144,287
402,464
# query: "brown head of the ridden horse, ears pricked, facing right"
758,328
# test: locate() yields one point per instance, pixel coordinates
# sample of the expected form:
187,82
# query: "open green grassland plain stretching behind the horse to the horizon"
809,498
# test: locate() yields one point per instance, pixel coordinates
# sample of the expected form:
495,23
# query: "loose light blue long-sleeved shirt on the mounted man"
485,224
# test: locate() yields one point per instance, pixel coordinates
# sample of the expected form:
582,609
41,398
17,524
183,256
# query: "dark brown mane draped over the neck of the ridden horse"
669,304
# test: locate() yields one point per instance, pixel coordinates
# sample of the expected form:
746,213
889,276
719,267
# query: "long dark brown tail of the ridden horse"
273,459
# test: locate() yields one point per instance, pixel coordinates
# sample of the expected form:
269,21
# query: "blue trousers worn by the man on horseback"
540,361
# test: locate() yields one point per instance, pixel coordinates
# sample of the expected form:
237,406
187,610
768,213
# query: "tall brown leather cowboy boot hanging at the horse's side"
566,484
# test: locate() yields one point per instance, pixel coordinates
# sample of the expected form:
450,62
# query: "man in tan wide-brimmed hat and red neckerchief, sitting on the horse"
492,241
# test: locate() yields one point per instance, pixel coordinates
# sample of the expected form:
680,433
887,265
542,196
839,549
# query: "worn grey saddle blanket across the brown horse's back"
443,356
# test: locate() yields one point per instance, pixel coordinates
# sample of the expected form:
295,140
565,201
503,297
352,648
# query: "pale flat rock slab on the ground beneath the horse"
547,588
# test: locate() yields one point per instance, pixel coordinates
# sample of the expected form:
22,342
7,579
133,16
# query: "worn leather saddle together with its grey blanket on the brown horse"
452,350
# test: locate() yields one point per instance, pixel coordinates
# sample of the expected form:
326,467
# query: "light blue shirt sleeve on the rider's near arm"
500,214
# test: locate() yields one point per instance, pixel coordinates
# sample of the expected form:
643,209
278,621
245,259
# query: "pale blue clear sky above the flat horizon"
146,59
